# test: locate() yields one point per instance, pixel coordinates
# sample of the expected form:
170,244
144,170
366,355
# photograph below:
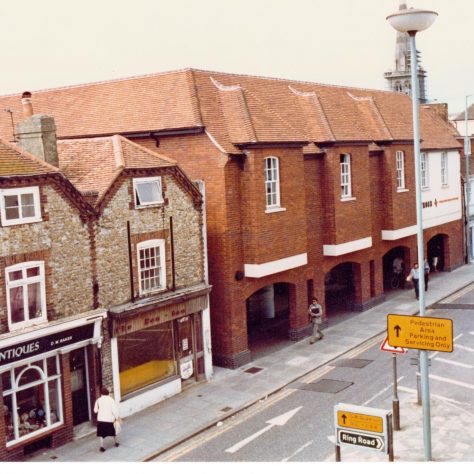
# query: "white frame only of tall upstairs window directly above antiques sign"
24,282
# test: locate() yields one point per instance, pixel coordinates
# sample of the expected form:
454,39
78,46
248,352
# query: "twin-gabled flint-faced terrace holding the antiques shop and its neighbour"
102,282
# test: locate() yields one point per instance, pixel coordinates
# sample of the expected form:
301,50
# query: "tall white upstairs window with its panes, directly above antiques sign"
26,296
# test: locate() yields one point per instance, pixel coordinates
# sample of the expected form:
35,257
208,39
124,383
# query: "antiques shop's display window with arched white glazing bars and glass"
33,393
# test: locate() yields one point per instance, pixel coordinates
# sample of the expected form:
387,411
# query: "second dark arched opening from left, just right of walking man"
339,289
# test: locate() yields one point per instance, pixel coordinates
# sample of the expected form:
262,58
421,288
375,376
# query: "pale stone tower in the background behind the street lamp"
399,79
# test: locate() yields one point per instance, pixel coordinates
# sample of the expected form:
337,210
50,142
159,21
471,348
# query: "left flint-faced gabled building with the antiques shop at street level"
50,332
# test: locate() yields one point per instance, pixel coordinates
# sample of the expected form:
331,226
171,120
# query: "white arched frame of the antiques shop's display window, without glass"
45,379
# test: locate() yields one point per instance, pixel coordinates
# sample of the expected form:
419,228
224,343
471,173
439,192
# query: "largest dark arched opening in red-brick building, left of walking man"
268,311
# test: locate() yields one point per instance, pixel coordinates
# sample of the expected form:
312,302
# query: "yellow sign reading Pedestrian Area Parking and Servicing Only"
420,332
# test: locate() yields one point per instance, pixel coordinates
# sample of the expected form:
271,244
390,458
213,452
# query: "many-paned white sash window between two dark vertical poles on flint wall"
151,266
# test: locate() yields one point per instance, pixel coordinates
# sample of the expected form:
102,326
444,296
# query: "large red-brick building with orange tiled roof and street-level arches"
309,187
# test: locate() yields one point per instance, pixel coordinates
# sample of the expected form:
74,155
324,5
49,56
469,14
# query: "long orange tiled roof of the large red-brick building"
234,109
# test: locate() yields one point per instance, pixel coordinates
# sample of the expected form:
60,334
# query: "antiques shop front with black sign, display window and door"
45,390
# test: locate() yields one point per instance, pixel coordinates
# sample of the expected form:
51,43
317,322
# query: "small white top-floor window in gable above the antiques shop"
20,206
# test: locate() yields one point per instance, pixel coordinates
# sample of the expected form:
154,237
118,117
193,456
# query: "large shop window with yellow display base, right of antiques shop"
146,357
